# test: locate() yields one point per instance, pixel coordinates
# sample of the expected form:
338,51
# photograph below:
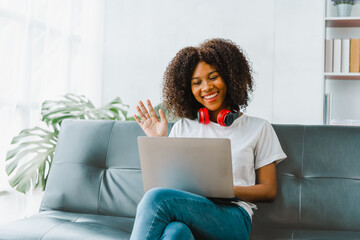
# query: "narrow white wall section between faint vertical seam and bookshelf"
299,61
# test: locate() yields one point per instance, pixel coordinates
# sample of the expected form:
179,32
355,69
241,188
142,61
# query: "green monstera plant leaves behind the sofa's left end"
29,161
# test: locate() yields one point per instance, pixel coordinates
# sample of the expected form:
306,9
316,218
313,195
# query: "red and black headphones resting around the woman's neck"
225,117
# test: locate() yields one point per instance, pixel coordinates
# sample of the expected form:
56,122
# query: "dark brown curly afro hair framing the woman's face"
230,62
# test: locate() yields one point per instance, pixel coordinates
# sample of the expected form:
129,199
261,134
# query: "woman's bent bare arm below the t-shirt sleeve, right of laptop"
265,189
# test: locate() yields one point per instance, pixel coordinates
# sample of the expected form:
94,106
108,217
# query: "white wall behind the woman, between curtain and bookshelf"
279,37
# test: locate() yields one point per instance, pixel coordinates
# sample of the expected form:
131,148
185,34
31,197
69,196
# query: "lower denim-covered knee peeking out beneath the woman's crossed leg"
177,230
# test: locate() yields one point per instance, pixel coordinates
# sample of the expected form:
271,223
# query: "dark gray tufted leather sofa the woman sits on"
95,184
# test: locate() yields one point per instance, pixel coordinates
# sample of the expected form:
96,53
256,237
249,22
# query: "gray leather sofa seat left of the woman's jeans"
67,225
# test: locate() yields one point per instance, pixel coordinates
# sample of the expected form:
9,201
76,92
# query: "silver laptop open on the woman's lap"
198,165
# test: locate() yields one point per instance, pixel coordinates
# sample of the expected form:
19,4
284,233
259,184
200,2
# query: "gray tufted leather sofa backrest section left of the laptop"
96,169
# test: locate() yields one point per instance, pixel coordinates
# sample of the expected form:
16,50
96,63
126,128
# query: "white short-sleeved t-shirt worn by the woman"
254,144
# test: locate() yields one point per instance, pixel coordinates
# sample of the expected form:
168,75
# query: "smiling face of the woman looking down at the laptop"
209,88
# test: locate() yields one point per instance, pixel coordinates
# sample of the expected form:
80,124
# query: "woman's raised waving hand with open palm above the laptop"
149,122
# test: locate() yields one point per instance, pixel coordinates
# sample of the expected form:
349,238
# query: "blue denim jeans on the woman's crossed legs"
172,214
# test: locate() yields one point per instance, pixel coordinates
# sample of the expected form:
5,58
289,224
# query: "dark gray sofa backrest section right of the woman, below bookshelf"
319,182
